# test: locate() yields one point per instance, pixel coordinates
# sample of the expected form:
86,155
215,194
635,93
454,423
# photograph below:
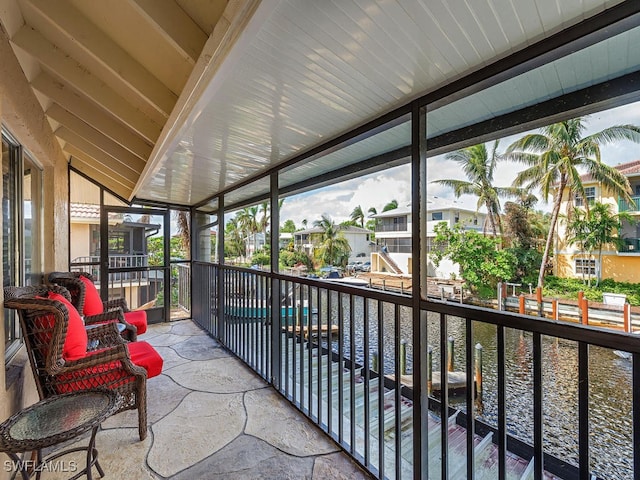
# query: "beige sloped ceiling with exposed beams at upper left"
109,73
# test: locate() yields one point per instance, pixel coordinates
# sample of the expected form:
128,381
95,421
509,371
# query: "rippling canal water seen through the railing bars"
610,408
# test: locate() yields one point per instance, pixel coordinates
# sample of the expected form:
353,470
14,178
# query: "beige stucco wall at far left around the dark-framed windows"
23,117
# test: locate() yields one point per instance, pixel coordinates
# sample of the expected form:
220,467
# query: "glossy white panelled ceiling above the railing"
307,71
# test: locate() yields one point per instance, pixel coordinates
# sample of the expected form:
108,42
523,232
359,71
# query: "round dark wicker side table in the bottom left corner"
55,420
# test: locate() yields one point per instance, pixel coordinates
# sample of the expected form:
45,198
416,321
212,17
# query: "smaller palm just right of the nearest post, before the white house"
479,166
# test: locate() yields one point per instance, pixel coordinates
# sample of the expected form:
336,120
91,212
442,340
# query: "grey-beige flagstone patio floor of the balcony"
211,417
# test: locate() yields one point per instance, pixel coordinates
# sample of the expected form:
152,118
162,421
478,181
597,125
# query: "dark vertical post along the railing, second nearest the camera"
276,328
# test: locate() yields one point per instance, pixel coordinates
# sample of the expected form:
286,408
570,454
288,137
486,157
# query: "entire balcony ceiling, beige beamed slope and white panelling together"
177,100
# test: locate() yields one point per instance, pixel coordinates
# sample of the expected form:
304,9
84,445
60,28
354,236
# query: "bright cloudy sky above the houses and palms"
378,189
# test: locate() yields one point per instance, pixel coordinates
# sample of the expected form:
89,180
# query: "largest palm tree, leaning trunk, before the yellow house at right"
554,157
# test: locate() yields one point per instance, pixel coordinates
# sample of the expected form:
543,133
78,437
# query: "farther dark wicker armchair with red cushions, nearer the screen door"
135,321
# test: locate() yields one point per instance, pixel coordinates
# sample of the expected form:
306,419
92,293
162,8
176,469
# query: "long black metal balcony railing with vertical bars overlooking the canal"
347,357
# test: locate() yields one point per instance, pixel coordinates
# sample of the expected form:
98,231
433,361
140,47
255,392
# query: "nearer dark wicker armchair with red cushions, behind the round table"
114,364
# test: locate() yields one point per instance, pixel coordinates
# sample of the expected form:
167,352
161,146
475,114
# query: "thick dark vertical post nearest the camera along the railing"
419,291
